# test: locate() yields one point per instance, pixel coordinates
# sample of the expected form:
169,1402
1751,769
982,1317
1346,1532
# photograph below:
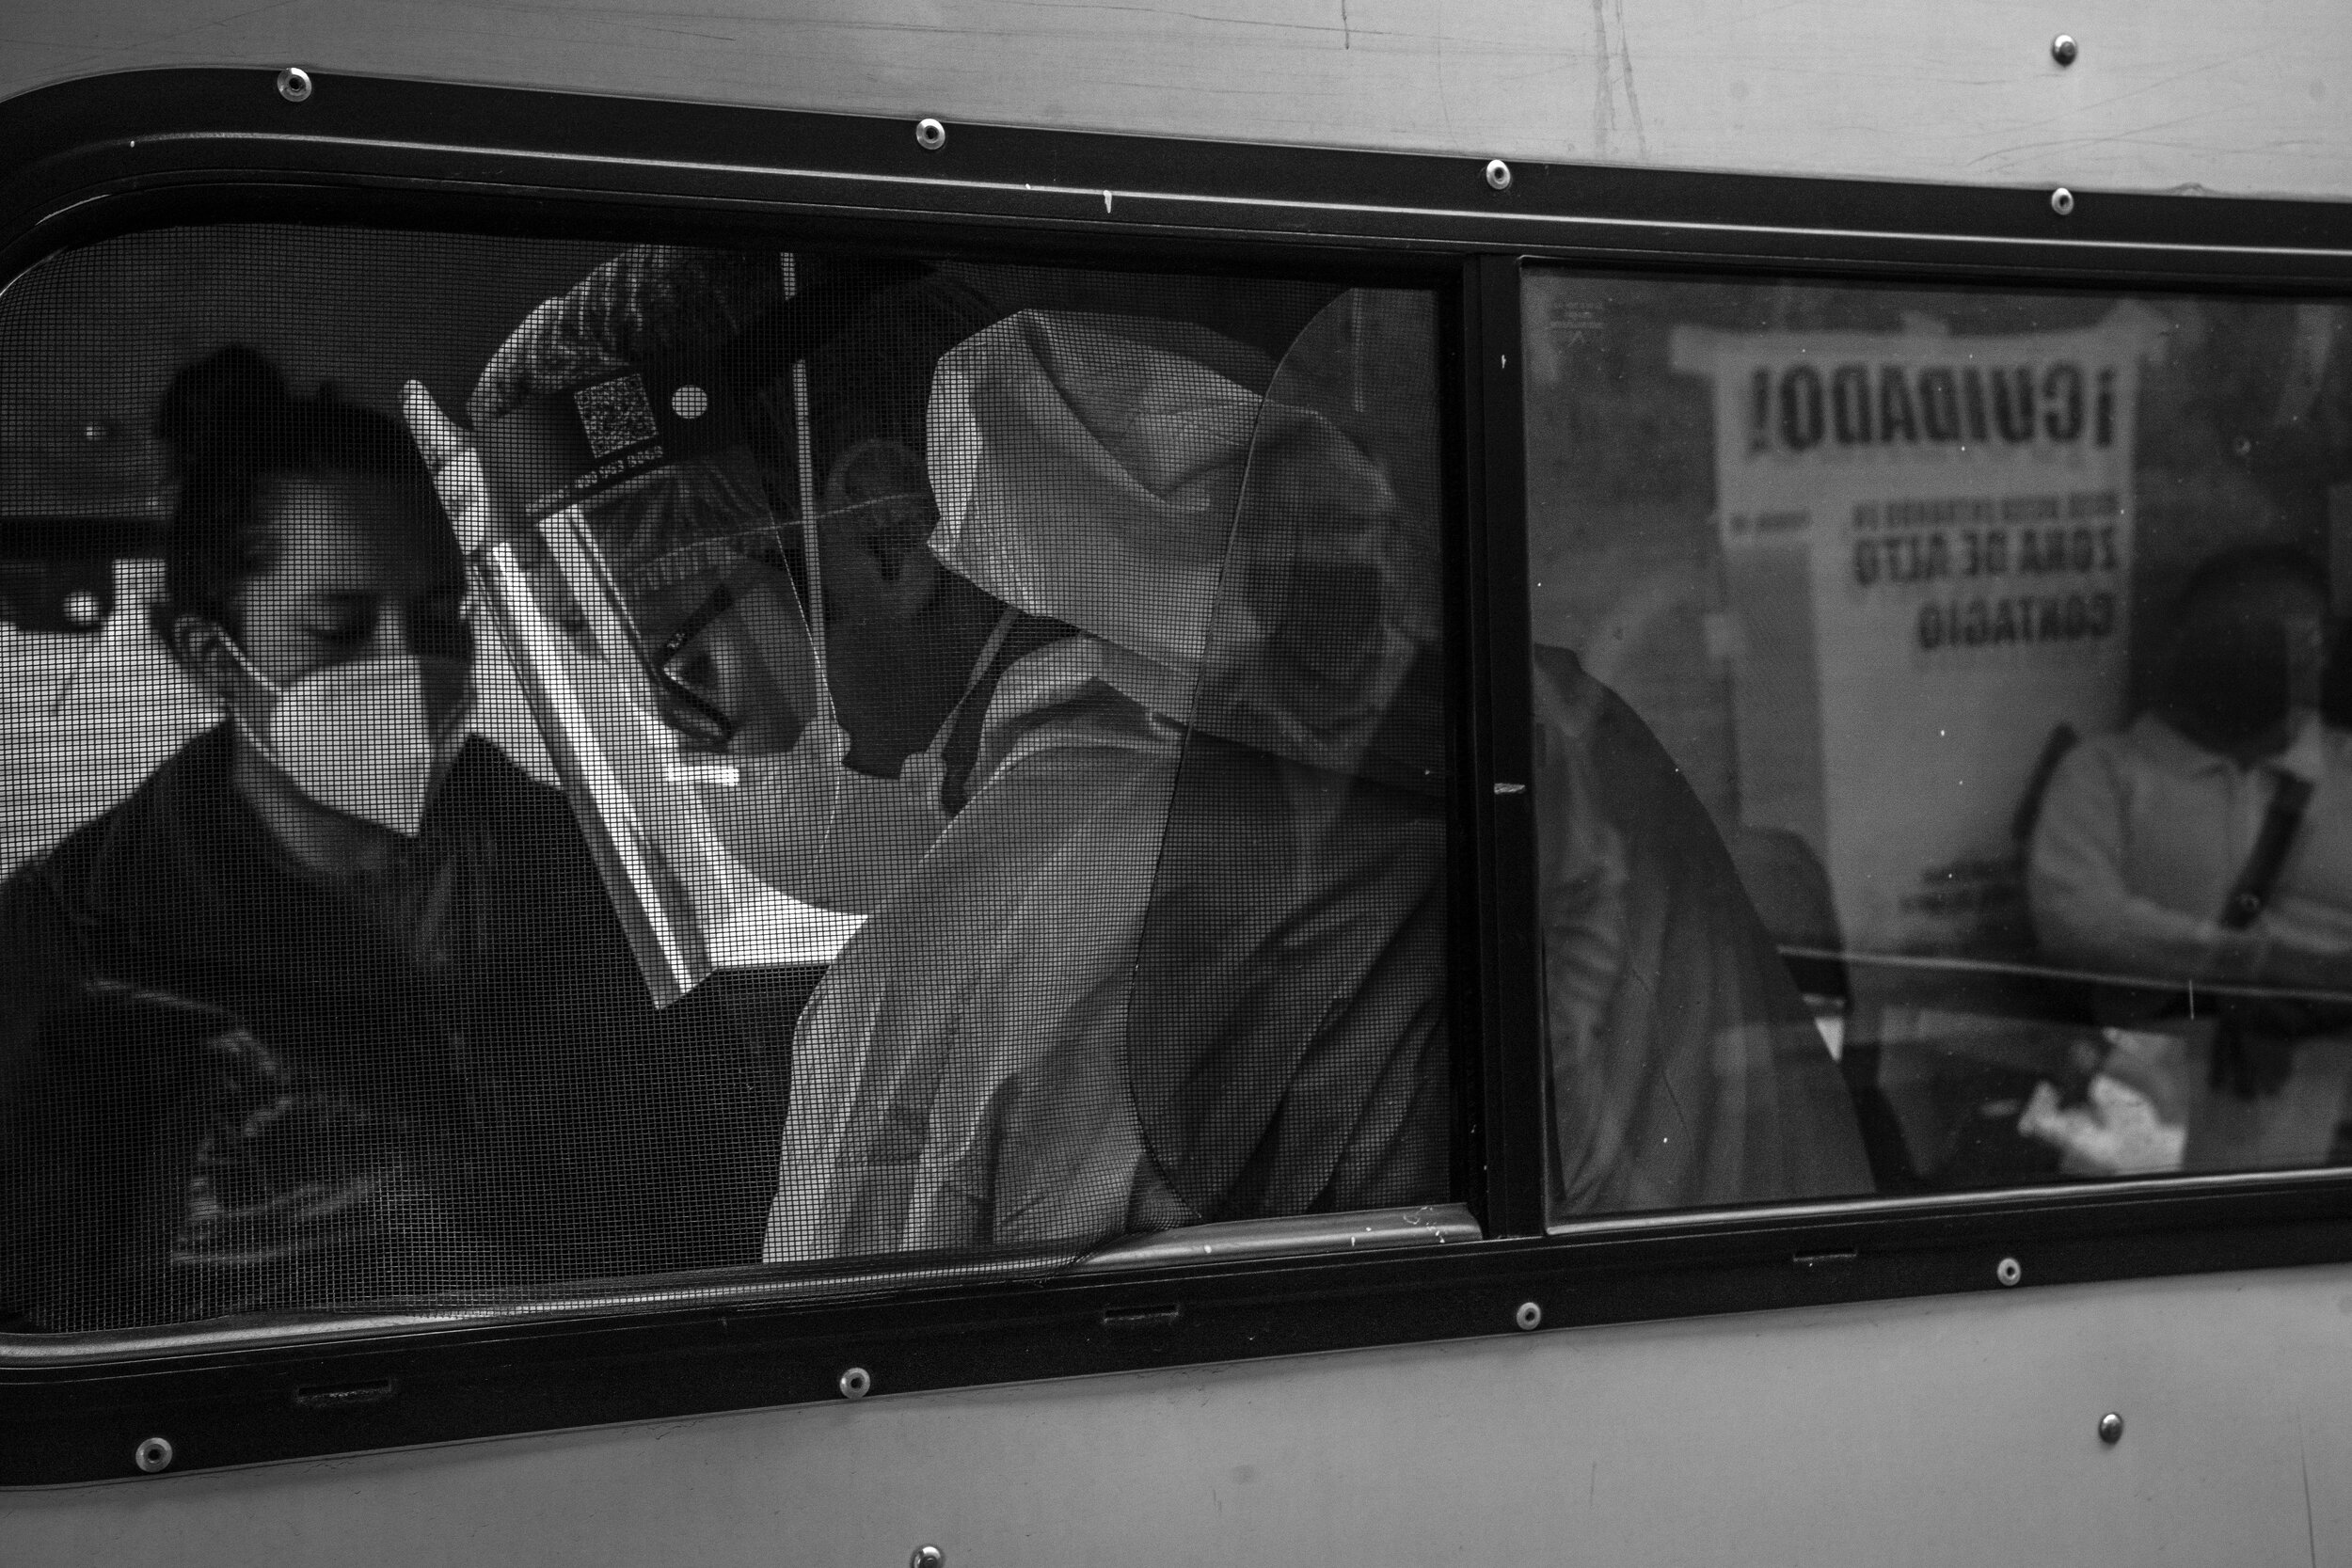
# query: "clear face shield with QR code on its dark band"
648,601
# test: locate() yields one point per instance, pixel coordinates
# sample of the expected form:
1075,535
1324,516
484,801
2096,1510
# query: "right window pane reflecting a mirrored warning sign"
1979,652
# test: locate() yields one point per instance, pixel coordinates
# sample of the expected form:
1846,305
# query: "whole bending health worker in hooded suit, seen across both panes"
1177,951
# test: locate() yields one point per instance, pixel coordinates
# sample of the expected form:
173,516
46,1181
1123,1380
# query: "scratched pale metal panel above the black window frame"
2250,100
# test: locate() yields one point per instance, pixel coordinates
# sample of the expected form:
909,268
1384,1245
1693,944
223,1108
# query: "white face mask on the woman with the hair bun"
359,737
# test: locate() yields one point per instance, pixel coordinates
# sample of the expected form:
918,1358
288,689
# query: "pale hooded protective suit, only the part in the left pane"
1196,899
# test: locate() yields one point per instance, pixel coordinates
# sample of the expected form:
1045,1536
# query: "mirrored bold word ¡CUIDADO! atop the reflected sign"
1800,408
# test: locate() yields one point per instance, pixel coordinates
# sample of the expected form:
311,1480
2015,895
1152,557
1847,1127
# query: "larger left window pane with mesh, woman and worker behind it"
540,763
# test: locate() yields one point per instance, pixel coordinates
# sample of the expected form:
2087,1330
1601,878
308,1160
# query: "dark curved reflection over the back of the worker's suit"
1297,1061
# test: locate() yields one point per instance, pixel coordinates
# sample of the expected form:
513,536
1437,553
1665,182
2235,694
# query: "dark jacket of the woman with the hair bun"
229,1087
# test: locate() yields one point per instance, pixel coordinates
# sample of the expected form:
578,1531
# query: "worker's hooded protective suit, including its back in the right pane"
1255,704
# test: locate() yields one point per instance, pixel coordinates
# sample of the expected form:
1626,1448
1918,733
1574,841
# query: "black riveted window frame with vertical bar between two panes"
149,149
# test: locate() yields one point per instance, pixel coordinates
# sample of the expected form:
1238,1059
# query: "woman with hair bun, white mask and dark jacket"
330,1007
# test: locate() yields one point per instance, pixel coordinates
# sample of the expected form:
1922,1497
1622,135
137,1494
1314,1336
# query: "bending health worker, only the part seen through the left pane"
965,1073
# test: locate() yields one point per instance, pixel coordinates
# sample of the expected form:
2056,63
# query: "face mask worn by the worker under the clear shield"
813,826
